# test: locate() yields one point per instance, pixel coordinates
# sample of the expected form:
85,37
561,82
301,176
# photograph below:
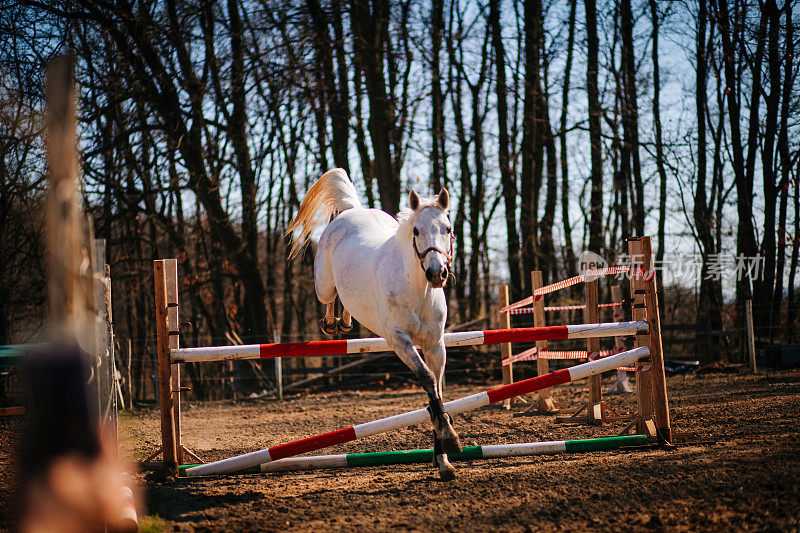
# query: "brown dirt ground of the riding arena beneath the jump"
742,472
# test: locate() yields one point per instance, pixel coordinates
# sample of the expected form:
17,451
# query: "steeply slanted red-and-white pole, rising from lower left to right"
419,416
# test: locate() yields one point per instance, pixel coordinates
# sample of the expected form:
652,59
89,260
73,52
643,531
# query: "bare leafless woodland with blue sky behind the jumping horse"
558,127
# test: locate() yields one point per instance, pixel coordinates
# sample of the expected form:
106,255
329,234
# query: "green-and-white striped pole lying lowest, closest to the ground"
496,451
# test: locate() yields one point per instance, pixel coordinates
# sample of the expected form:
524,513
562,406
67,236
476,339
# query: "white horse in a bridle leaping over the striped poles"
389,275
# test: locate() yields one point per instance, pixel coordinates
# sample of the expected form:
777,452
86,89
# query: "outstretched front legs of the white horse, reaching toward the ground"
445,438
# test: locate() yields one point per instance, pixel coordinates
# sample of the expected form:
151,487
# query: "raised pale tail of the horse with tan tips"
329,196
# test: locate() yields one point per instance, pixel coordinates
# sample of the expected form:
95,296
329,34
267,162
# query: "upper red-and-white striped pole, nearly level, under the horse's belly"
349,346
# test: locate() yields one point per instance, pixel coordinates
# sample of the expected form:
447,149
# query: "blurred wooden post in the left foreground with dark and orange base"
70,480
